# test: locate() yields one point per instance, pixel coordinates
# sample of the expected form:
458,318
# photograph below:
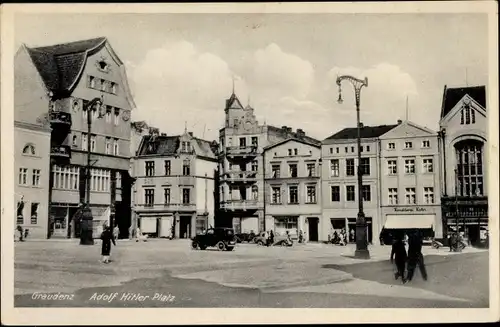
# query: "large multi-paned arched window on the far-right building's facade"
470,170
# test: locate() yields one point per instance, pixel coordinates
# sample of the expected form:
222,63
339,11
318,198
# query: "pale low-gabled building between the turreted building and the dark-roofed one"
292,200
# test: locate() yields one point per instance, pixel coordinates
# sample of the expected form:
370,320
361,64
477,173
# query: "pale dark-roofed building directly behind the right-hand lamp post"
339,180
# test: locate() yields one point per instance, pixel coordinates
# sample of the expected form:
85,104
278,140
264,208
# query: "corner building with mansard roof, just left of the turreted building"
174,187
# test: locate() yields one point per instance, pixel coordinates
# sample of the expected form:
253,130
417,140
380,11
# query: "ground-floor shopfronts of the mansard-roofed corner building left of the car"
172,224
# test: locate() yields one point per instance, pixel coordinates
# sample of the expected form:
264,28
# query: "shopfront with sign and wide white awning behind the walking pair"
426,218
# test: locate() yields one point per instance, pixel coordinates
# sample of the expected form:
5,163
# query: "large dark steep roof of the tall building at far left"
61,65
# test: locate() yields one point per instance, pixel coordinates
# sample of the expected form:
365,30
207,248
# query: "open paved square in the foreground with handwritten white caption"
164,273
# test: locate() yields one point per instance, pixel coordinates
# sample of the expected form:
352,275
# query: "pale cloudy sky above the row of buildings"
181,66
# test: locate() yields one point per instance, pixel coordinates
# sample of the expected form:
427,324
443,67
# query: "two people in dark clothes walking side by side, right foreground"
413,258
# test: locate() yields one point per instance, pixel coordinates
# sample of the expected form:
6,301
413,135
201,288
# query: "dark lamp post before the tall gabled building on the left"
86,222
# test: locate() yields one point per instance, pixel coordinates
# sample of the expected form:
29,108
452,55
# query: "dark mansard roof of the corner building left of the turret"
169,146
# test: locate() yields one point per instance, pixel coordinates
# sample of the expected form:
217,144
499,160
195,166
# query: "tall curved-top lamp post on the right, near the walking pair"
362,251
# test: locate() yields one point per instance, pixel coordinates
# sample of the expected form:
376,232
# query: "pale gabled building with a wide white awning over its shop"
410,179
